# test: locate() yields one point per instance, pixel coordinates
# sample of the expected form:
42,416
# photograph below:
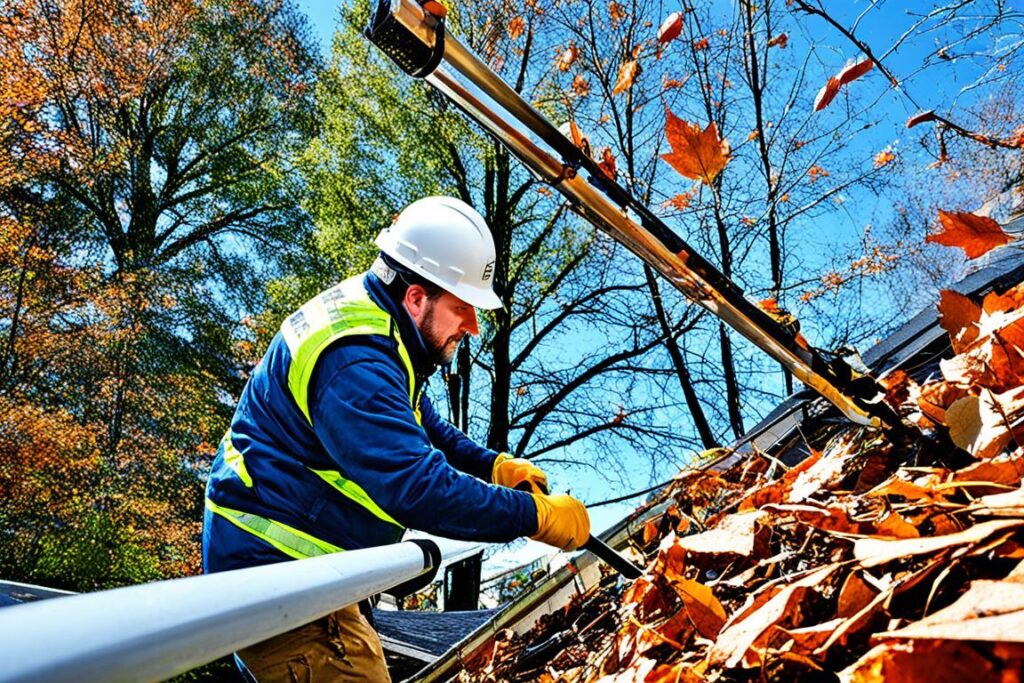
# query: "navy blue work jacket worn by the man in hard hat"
276,464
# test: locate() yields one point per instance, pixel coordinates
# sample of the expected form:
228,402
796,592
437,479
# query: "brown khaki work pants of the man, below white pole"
342,647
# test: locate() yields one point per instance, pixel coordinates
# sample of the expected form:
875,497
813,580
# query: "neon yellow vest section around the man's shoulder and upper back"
344,311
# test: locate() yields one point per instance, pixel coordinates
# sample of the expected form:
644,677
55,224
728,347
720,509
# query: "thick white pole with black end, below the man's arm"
155,631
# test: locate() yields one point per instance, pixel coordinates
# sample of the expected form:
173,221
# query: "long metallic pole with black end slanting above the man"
418,44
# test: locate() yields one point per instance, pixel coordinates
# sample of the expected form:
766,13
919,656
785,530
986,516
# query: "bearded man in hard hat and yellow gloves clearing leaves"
335,447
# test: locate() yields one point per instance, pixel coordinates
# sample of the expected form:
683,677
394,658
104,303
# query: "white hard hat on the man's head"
446,241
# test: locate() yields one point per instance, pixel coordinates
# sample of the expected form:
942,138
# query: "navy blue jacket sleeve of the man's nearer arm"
362,415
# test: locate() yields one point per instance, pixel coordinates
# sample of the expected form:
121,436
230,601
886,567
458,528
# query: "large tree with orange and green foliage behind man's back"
145,188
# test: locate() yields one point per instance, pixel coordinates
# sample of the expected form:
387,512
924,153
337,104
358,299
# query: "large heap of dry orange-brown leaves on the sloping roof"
870,561
